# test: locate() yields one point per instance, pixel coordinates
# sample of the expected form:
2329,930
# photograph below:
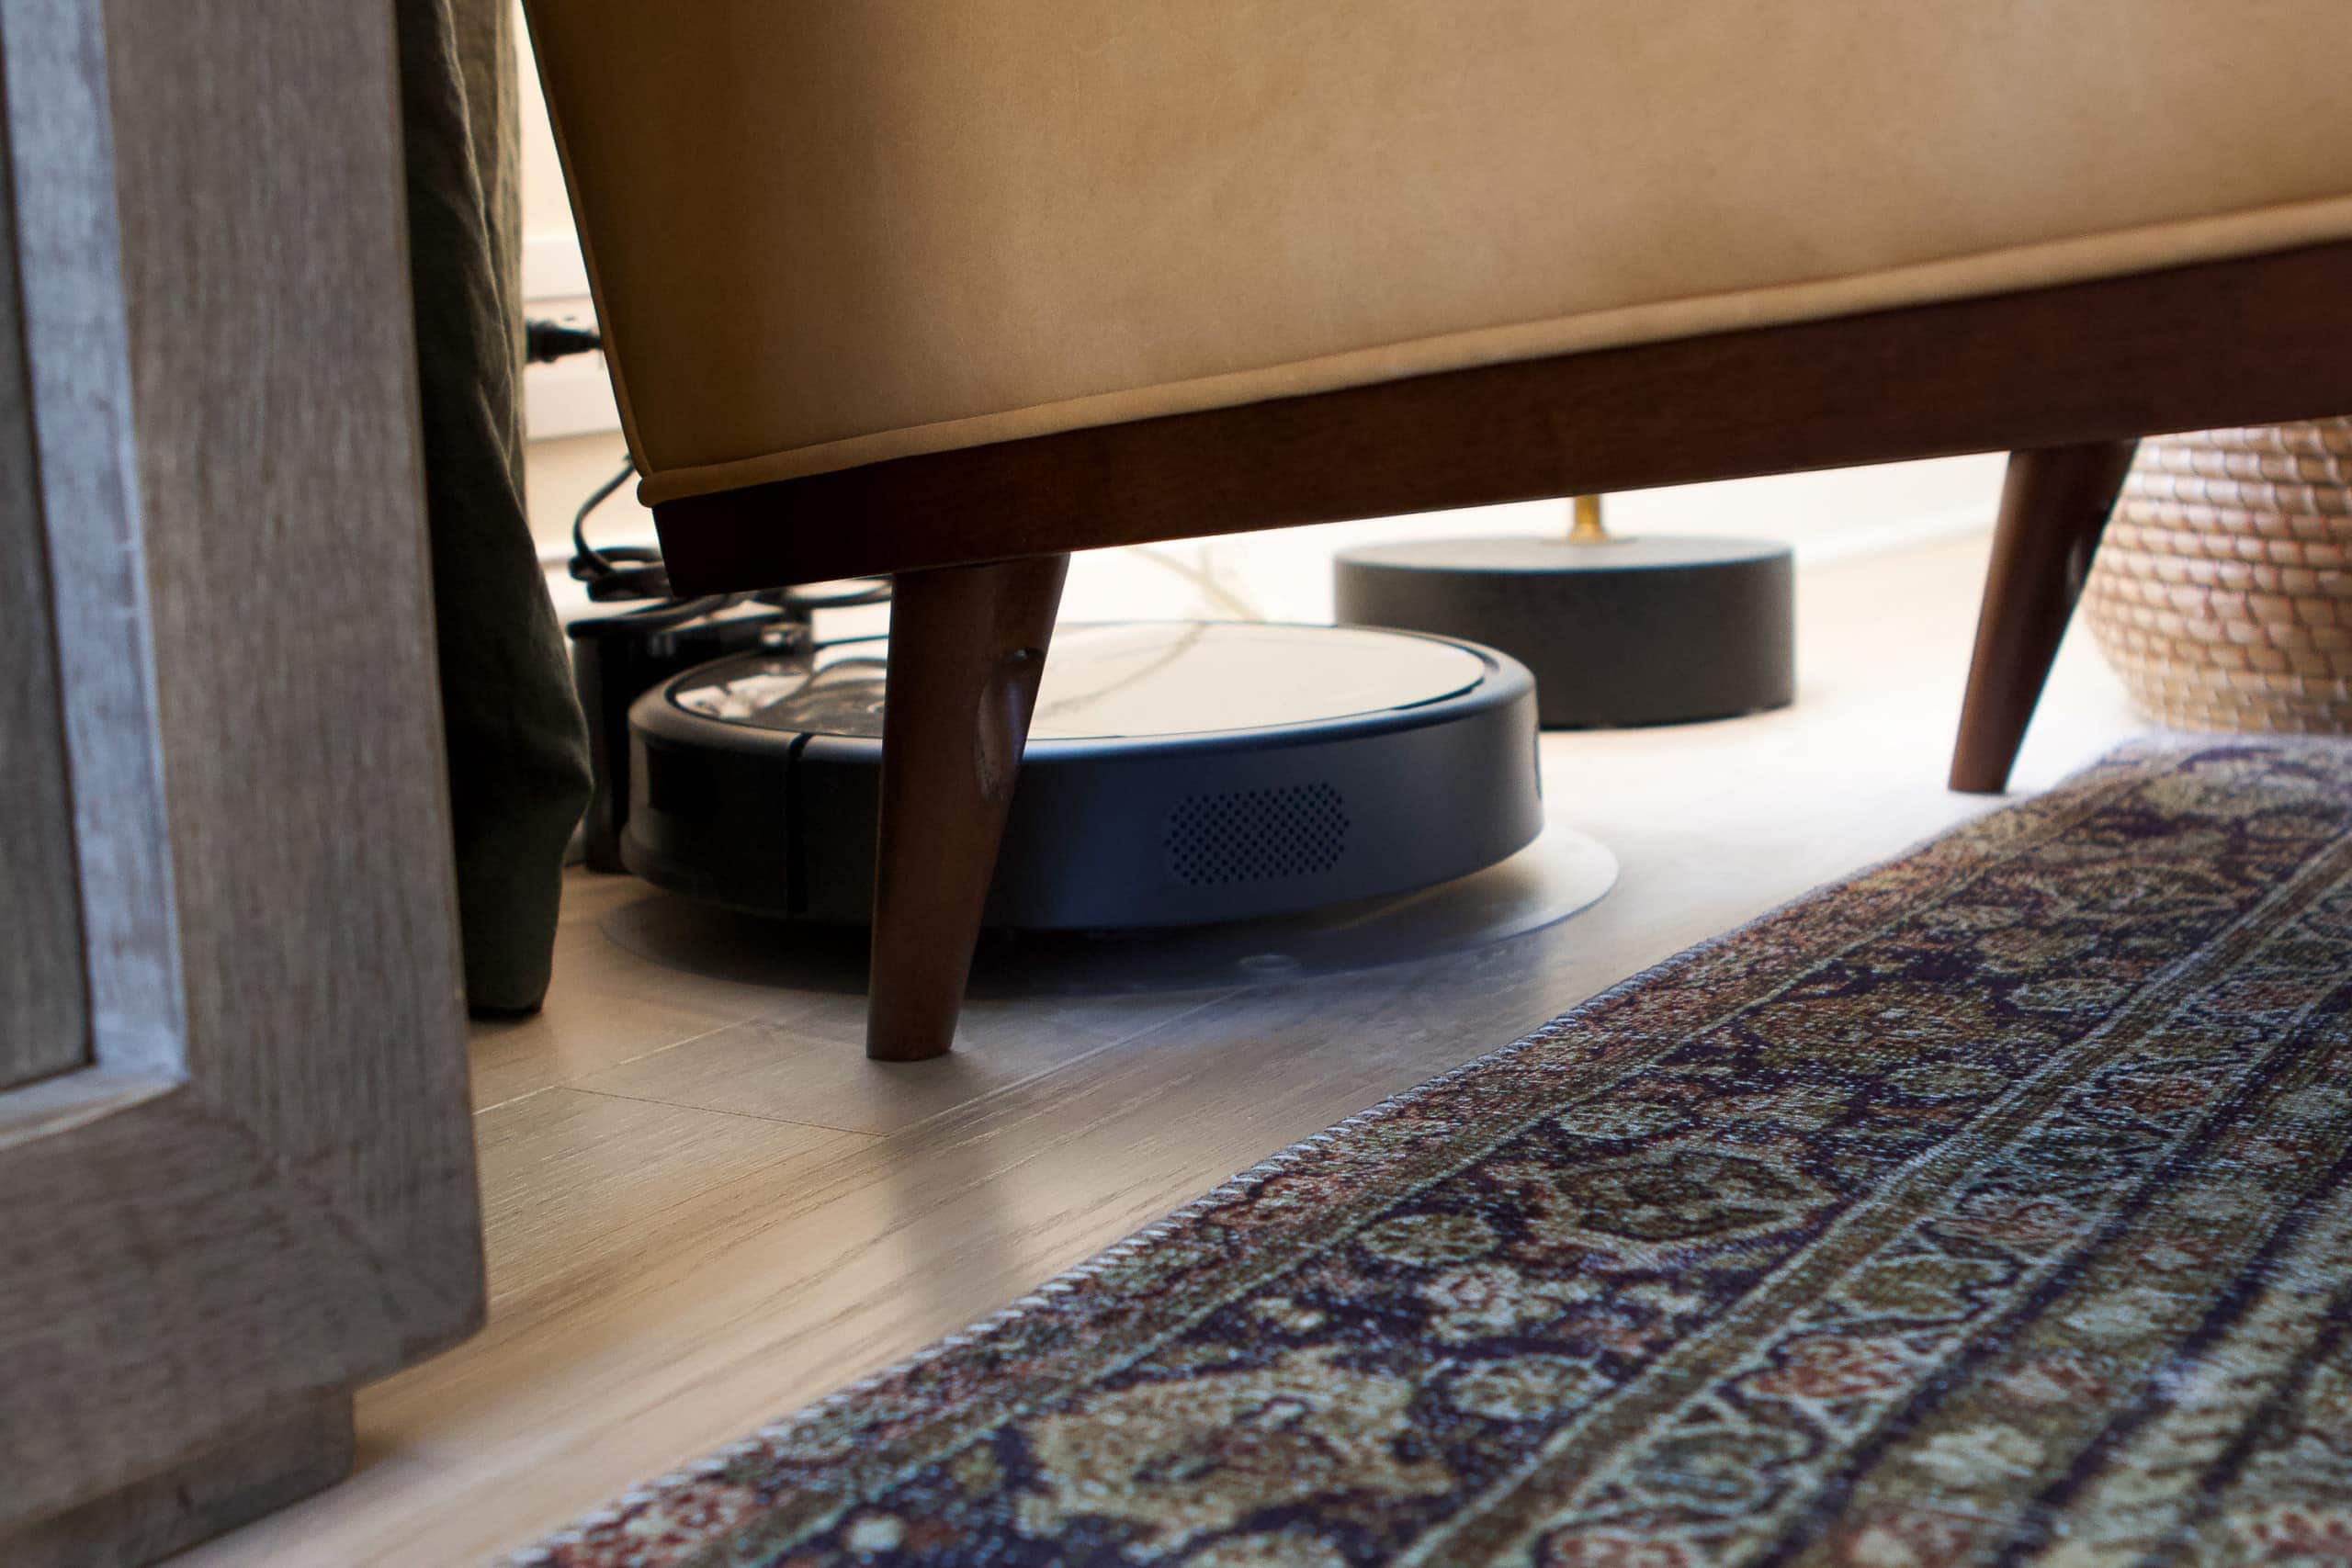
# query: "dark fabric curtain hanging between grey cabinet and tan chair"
519,749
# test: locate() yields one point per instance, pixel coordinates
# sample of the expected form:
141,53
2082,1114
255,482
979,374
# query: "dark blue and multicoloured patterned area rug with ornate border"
1993,1207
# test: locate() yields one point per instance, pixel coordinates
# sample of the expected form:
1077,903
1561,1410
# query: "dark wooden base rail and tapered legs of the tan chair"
2064,377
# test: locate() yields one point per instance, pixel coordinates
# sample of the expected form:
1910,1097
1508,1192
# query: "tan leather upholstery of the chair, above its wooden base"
836,234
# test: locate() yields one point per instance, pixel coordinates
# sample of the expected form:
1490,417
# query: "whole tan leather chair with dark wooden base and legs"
951,288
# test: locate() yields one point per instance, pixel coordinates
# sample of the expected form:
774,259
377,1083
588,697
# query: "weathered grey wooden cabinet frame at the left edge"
260,1191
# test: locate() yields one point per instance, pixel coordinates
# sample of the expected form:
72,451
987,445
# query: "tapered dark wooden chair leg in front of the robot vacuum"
965,655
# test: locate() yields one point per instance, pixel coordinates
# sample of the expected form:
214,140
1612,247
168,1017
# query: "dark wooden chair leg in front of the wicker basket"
2054,507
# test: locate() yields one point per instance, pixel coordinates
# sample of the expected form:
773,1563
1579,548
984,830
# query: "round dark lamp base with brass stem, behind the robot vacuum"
1619,631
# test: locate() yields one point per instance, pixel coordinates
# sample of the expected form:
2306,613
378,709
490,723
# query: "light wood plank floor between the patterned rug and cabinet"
704,1207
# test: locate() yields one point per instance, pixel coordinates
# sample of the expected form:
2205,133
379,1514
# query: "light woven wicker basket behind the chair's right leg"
2224,587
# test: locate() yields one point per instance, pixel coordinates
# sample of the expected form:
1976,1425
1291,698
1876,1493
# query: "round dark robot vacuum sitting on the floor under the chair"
1177,775
